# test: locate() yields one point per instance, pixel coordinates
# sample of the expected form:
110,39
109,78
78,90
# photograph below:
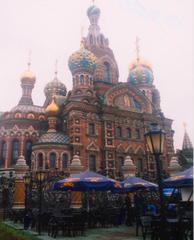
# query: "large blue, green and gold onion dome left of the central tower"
82,61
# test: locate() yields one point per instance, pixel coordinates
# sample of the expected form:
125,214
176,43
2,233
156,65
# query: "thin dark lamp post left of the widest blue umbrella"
40,177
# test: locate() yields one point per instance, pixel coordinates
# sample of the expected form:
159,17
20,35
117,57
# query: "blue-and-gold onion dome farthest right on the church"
140,73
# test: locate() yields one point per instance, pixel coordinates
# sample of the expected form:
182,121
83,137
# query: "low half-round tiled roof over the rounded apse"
53,138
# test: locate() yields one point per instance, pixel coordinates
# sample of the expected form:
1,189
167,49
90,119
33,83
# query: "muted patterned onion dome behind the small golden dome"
55,86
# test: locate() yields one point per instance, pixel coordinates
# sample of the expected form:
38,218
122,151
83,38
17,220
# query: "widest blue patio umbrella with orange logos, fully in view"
87,181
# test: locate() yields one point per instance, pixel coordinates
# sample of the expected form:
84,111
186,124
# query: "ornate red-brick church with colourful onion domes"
101,119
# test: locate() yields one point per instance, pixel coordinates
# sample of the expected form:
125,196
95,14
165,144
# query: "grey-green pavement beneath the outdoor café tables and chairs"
112,233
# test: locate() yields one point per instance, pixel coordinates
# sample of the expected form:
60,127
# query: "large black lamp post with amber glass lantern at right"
155,142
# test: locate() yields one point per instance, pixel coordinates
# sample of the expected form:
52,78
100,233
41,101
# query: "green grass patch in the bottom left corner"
9,233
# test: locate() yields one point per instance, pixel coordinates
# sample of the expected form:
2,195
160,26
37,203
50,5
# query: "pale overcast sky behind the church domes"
51,29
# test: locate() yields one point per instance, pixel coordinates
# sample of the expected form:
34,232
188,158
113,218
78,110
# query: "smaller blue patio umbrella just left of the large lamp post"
131,184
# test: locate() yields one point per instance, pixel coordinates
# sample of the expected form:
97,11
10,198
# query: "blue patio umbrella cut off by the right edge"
181,179
